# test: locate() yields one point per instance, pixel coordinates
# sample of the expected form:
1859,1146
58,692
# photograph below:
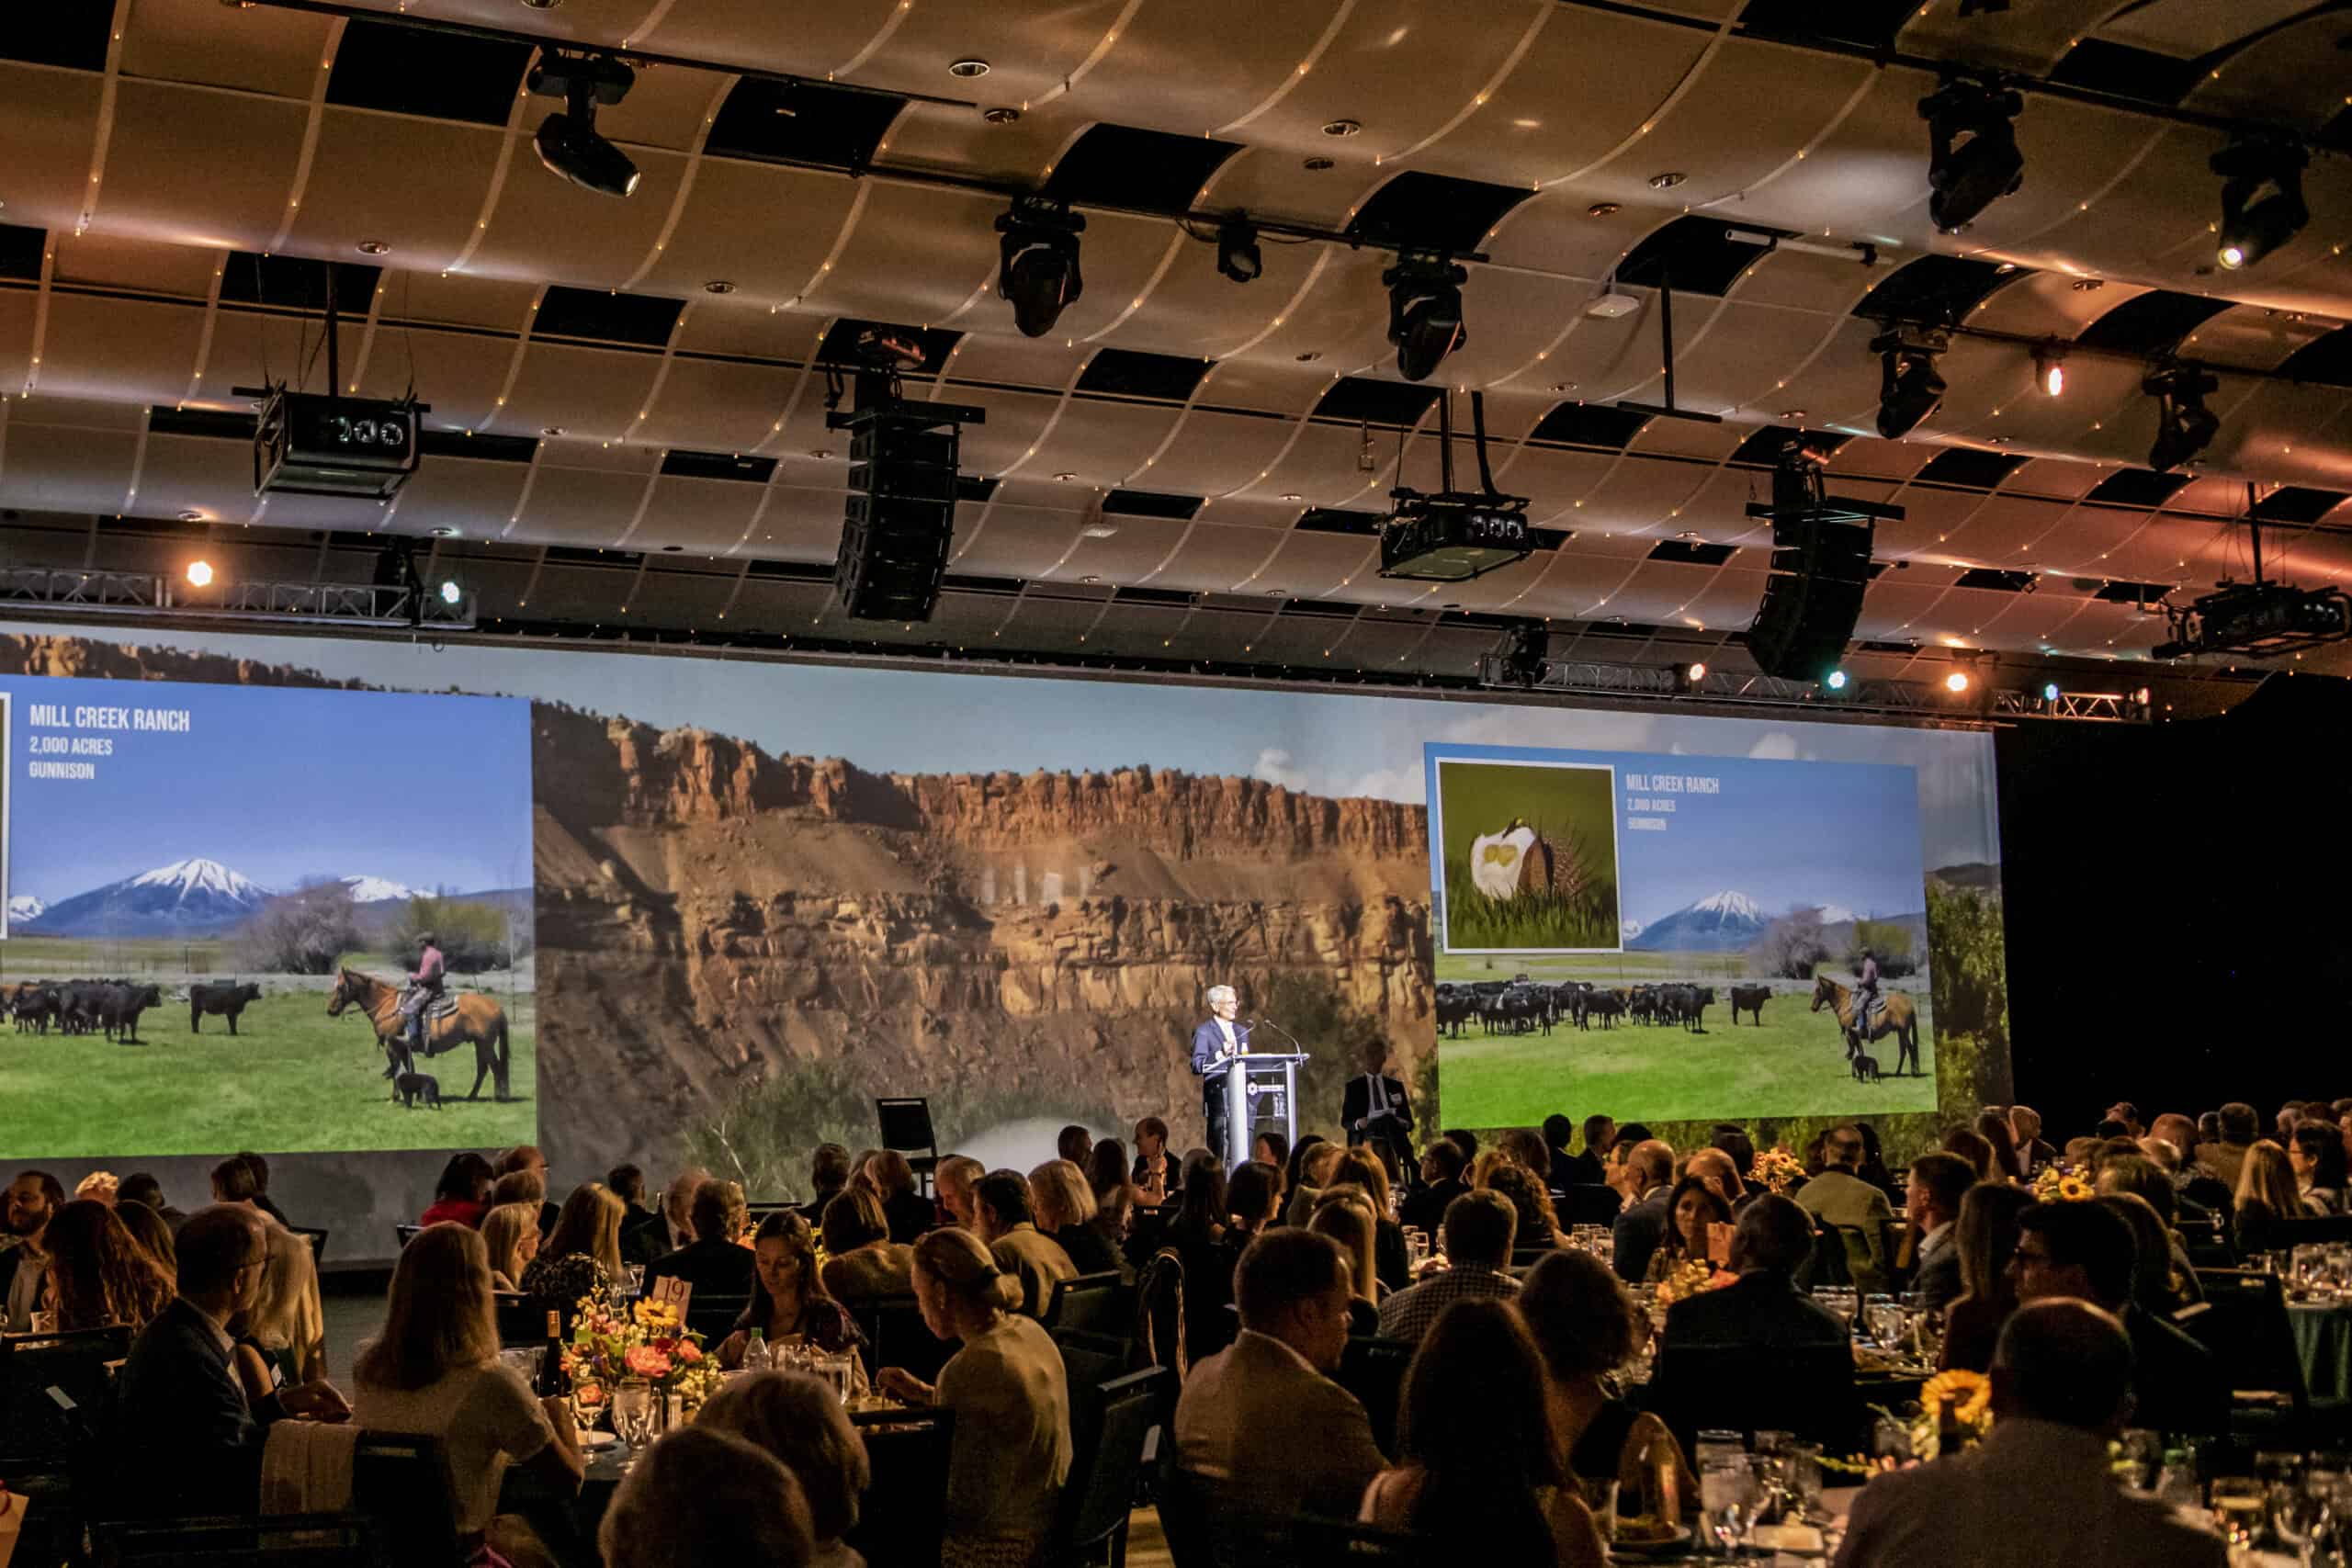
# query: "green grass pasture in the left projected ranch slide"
290,1080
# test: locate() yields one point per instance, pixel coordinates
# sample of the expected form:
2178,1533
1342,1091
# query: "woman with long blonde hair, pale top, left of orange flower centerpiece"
436,1374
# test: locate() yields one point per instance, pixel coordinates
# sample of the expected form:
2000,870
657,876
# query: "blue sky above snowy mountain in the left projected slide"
281,784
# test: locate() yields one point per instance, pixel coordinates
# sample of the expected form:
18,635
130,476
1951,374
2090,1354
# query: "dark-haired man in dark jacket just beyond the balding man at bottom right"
2087,1252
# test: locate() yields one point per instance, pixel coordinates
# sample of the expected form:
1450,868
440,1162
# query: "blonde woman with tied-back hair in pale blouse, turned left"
1013,1402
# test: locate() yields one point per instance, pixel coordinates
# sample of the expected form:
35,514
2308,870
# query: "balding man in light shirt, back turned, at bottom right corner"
2040,1487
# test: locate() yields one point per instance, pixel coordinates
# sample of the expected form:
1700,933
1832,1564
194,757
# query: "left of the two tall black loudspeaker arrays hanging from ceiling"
900,521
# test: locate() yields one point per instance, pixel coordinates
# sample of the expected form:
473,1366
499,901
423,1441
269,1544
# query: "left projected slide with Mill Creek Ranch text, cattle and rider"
218,894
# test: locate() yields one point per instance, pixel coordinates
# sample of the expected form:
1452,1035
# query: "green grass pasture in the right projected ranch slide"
1793,1066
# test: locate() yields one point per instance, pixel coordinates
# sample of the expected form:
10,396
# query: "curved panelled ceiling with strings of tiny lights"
634,377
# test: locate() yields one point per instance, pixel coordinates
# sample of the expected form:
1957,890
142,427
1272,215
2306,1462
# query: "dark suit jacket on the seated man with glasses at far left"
185,1426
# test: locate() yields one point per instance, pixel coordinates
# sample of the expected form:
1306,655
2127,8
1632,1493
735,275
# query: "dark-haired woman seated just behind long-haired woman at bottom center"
1586,1327
